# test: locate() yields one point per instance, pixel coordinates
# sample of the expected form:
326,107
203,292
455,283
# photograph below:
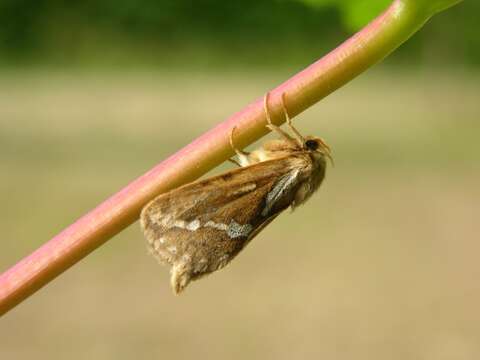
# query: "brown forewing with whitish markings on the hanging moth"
200,227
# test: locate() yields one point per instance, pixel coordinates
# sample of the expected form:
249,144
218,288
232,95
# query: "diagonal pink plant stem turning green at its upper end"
341,65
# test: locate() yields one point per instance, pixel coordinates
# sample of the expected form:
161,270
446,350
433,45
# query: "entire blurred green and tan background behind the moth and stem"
381,263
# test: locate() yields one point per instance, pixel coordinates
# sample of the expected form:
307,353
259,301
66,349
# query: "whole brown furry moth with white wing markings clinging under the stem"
200,227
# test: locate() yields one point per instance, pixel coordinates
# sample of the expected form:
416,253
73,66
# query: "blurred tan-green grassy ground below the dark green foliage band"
381,263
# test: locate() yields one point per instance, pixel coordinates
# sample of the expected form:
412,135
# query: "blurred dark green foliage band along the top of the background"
212,31
